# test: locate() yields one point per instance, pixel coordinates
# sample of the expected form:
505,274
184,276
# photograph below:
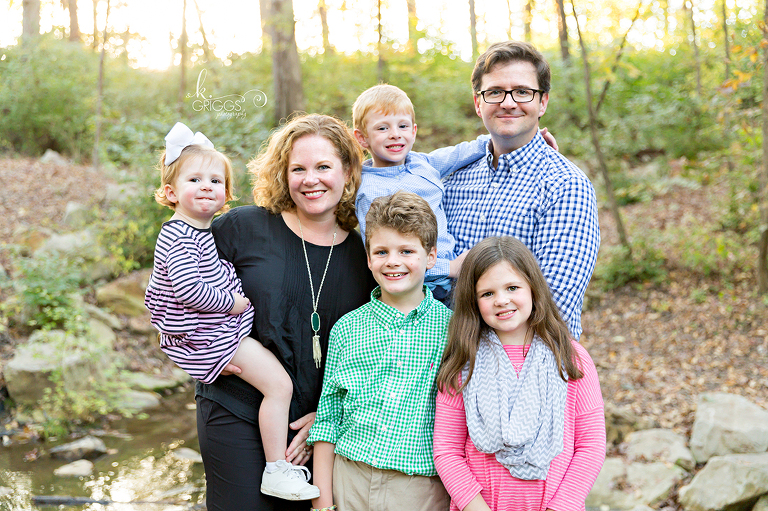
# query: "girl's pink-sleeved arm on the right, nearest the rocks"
589,440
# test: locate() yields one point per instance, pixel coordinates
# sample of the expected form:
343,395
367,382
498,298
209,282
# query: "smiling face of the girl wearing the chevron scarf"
505,302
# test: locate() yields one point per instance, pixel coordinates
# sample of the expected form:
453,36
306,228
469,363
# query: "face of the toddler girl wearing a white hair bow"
199,191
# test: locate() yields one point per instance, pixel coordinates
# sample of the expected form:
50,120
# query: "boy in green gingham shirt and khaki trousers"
377,407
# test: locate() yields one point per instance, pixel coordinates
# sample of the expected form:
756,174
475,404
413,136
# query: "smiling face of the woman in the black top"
316,177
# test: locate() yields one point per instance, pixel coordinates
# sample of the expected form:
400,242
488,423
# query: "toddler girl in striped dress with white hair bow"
196,300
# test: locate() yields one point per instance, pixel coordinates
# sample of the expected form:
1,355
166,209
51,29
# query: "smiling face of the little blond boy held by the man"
388,137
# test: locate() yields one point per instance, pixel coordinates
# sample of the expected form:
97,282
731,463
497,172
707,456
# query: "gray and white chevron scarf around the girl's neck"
519,420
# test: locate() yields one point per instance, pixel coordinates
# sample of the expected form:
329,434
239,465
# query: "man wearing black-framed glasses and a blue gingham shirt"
523,187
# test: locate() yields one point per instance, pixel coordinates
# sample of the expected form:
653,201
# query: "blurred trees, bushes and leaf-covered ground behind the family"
661,102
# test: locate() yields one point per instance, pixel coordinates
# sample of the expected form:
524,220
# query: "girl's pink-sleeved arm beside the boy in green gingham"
449,446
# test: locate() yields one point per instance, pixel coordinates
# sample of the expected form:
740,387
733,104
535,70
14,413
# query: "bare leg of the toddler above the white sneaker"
262,370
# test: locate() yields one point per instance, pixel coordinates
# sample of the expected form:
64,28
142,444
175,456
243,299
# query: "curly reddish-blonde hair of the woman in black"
269,168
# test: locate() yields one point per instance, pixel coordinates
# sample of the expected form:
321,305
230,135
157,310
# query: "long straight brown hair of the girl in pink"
467,325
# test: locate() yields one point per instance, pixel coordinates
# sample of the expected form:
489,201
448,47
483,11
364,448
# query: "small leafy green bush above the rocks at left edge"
46,288
